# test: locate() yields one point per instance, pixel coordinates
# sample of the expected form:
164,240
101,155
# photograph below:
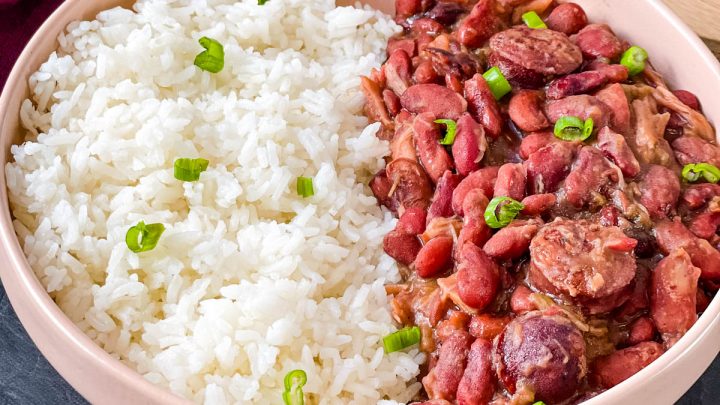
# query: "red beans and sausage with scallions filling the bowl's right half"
557,202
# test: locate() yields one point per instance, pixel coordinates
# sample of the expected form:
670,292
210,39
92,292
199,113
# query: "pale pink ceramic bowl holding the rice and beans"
675,51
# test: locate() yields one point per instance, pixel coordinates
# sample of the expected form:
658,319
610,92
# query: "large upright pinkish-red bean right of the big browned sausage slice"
673,295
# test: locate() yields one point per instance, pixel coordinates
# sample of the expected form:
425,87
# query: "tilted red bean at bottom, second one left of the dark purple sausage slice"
442,381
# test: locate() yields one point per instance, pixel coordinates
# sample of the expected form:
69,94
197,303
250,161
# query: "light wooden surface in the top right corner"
703,16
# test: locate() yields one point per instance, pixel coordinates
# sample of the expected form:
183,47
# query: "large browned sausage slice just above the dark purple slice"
583,259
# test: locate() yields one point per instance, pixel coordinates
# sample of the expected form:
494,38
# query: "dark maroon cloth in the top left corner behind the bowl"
19,19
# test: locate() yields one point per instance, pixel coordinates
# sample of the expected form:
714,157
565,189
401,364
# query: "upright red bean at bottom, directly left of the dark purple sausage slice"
477,385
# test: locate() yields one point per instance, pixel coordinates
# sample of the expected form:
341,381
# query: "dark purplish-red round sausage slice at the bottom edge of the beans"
542,351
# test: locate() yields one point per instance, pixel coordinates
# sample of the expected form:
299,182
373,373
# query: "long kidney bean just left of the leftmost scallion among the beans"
432,155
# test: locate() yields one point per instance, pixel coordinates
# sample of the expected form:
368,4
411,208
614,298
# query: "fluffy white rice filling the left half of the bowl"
249,281
